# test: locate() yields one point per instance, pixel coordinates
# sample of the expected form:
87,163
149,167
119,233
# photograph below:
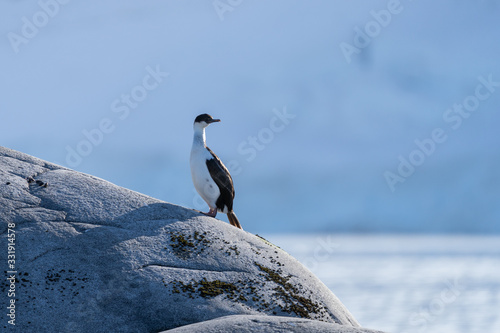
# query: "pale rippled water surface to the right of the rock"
408,284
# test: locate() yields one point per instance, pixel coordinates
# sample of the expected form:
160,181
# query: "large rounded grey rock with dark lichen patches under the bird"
94,257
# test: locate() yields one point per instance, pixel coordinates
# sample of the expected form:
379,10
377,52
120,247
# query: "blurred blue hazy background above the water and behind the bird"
71,67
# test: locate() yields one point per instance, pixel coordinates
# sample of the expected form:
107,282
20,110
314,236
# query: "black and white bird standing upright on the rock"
210,176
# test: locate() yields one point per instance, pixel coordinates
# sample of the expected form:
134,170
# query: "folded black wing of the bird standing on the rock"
223,179
